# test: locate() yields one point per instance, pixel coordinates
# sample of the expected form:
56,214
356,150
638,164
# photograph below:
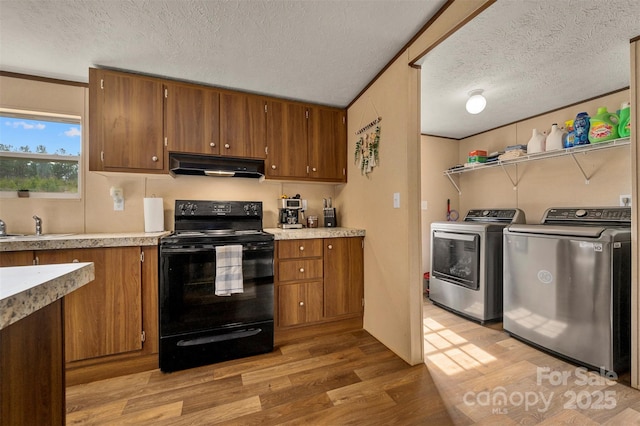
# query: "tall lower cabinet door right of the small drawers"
343,276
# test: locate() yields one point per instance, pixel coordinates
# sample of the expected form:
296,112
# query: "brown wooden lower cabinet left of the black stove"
111,324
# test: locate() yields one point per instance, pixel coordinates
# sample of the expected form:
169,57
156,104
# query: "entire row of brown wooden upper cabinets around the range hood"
136,120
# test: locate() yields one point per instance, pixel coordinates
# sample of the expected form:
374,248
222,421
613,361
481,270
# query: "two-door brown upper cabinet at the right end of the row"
305,142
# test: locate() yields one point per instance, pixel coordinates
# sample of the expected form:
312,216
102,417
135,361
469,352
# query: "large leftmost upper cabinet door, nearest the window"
130,108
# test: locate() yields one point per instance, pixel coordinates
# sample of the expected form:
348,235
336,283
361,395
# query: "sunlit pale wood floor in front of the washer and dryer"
473,366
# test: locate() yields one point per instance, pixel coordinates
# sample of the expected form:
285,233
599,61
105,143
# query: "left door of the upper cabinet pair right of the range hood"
287,135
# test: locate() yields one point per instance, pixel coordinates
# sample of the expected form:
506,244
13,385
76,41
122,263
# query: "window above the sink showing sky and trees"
40,153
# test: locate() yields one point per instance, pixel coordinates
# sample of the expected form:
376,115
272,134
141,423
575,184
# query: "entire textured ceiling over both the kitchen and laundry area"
529,56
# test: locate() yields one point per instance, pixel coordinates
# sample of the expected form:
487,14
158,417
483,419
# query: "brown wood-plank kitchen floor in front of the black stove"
347,378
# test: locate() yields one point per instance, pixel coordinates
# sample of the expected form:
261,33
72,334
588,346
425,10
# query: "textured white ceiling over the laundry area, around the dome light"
529,57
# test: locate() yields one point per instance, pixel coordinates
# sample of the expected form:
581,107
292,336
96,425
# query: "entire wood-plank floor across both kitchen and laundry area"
351,378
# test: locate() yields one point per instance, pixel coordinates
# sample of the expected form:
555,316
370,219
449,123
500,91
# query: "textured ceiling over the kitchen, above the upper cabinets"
322,51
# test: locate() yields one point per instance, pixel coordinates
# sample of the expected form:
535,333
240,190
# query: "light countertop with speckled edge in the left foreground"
25,289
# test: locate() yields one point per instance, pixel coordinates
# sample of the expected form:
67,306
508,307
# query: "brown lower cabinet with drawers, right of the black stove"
318,281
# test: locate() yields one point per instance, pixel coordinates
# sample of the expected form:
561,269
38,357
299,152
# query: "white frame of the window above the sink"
47,116
